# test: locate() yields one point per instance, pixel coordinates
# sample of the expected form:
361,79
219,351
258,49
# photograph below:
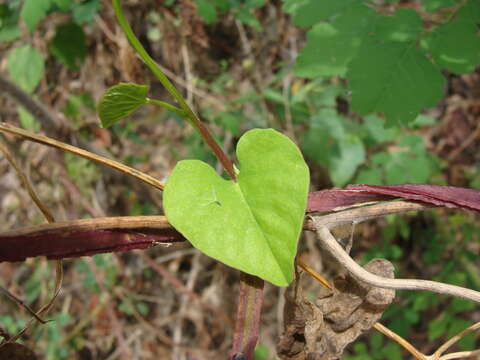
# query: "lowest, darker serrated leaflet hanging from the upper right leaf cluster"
394,78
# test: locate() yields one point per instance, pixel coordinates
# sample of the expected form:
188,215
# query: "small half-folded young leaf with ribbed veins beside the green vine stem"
121,100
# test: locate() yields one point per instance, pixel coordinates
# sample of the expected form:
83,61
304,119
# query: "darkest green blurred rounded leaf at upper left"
69,45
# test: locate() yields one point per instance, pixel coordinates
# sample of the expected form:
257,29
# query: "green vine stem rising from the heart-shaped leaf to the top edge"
188,113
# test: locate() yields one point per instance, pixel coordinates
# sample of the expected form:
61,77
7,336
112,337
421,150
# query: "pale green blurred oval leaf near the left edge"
26,67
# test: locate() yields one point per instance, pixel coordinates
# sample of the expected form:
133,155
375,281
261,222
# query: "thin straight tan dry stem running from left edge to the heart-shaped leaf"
13,130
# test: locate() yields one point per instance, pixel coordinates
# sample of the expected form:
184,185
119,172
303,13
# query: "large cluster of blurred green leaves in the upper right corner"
392,61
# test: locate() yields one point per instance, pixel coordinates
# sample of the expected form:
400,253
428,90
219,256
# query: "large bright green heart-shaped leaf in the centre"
252,224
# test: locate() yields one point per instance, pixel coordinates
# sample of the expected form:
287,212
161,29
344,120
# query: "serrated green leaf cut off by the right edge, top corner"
459,57
